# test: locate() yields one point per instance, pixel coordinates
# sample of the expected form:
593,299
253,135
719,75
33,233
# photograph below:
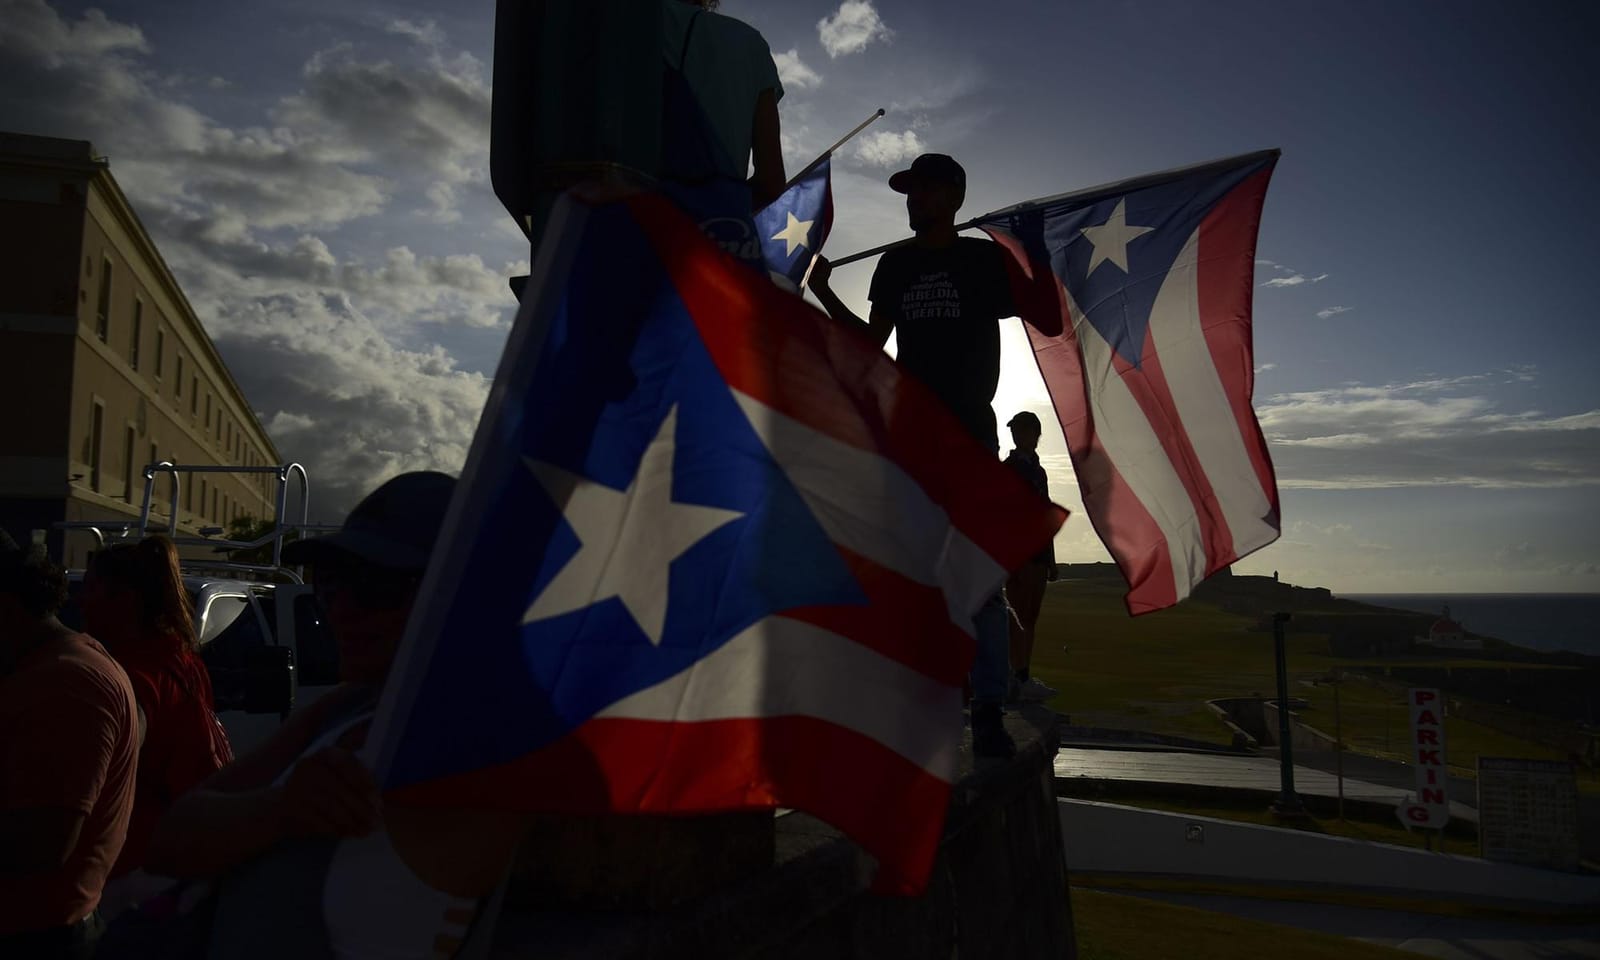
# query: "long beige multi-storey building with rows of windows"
106,367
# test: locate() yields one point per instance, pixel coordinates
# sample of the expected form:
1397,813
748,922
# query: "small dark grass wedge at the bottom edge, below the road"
1119,927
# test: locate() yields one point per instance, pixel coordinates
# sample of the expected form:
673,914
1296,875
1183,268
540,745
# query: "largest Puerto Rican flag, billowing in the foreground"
711,551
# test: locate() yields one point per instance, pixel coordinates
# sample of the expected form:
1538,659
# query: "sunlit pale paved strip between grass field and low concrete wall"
1254,774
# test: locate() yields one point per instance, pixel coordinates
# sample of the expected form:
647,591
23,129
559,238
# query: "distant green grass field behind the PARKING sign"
1156,673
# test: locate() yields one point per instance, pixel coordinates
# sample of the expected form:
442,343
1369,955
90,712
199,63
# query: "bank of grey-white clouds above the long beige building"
340,348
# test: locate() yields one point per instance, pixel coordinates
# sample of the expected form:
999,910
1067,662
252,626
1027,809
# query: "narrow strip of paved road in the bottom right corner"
1449,938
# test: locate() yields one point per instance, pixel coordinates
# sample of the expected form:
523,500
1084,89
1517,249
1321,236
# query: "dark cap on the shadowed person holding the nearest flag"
396,526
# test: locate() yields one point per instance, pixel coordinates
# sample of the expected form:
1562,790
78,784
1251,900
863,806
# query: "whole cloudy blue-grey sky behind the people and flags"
318,178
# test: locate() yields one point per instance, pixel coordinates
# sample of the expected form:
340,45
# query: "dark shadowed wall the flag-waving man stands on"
999,889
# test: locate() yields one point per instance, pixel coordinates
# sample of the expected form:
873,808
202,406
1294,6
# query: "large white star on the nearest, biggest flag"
628,538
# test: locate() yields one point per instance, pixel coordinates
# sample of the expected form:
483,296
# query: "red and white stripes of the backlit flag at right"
1170,458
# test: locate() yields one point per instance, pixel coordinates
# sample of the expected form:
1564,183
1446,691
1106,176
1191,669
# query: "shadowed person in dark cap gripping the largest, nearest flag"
311,858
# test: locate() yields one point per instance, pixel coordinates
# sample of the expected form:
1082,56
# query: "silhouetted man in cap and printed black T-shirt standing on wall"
945,297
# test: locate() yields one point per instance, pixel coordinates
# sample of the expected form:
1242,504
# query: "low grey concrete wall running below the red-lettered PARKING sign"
1126,841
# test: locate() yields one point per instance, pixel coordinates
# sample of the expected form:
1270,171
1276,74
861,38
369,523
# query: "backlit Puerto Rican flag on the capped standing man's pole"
1137,300
